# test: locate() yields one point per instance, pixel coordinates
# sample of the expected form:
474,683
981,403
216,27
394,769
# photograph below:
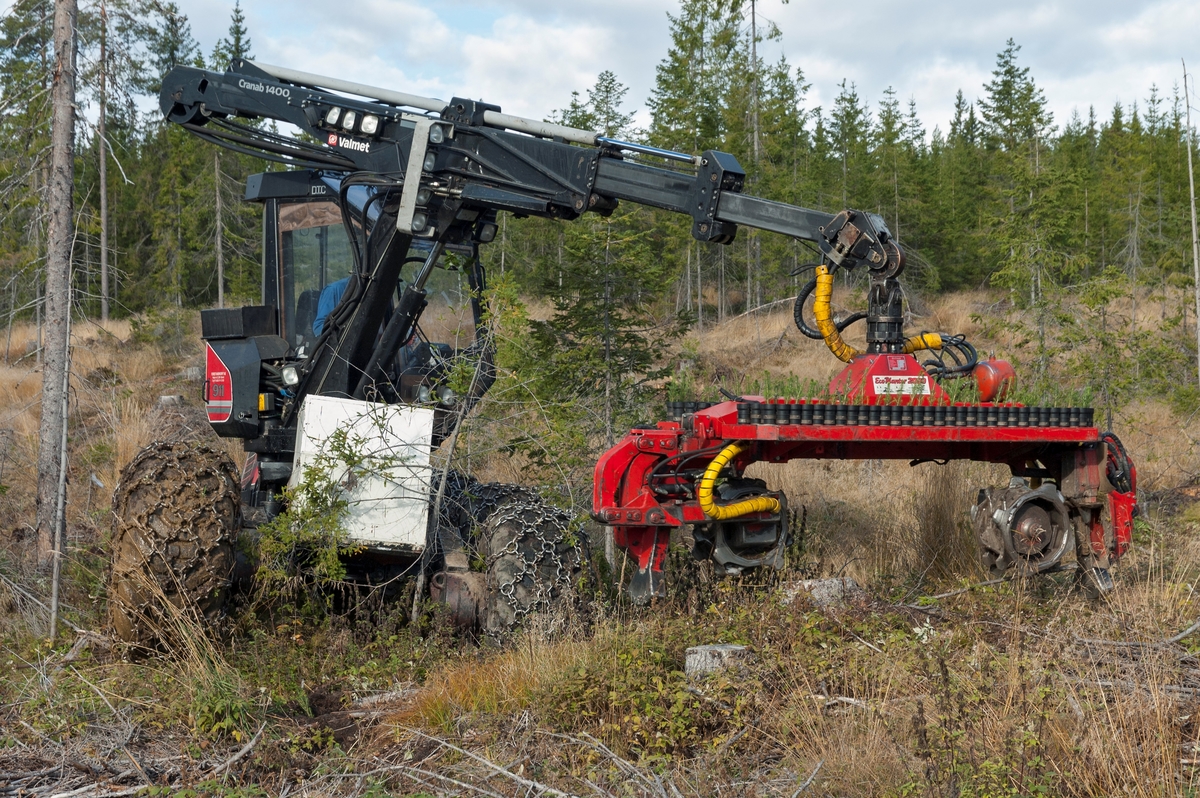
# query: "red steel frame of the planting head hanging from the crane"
645,487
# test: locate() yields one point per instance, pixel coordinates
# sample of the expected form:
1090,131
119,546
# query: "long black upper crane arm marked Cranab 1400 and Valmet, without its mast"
469,151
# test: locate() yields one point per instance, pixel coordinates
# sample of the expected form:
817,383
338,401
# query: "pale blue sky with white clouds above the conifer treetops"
529,56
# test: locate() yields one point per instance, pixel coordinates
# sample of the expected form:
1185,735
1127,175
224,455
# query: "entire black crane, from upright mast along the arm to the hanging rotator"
443,175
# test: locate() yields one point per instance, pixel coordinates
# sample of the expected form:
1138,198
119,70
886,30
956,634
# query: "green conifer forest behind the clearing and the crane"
1094,206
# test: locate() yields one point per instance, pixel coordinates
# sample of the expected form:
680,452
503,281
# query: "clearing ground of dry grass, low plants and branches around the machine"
923,685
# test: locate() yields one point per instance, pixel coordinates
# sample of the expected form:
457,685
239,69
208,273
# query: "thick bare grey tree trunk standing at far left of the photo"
61,236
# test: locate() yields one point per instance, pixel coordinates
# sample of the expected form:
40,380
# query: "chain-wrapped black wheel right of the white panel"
533,557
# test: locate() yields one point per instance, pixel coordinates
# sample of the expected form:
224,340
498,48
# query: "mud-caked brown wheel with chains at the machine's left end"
177,511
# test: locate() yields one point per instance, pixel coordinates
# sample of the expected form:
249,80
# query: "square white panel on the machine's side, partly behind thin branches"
388,505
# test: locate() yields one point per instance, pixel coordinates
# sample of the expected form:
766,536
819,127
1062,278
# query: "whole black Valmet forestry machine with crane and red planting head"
368,237
